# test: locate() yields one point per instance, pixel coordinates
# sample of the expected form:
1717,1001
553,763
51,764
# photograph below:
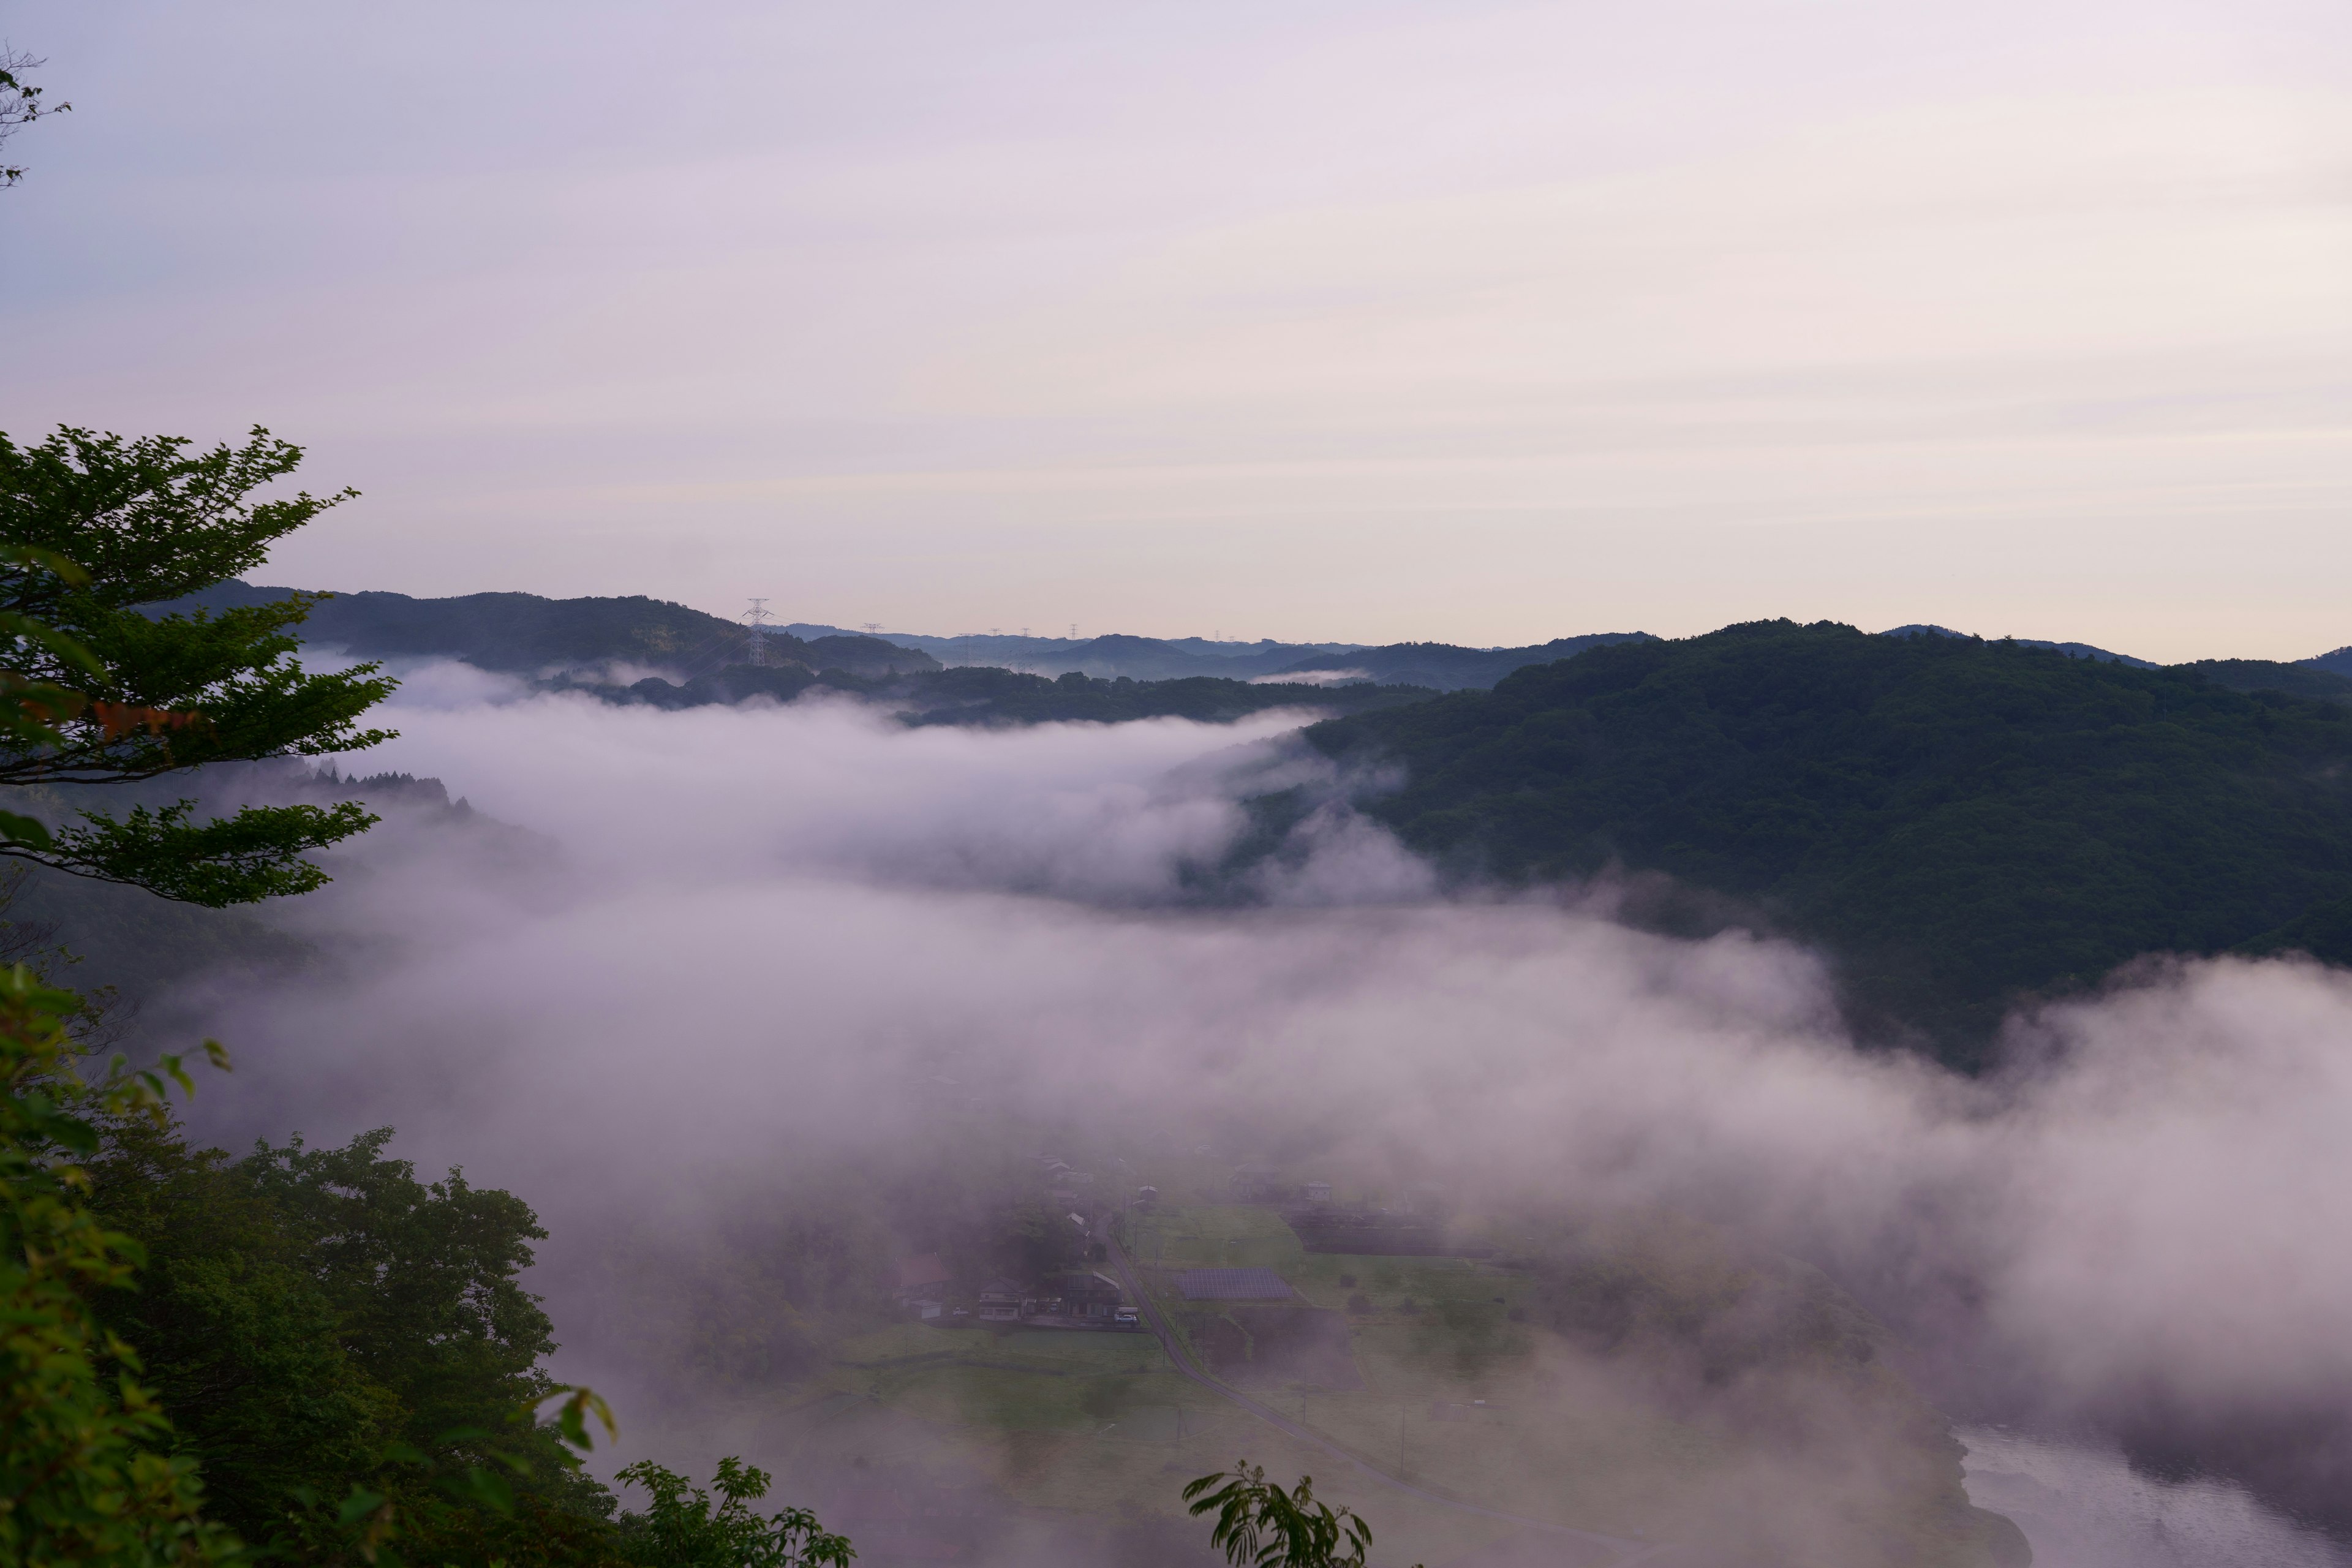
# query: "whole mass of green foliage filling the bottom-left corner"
340,1351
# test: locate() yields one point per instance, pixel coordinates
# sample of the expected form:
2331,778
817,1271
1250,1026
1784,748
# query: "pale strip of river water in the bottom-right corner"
2085,1508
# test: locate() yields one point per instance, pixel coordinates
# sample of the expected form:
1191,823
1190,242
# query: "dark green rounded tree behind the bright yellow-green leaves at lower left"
309,1313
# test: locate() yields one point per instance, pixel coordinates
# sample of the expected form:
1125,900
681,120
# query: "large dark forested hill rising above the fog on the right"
1960,824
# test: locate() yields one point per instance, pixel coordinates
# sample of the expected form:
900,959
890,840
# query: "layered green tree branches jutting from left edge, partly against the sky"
105,525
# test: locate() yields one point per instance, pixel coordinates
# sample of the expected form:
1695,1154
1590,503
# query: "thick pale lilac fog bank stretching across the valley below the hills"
780,930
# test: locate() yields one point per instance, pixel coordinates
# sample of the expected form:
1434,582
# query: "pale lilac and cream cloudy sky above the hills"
1474,323
